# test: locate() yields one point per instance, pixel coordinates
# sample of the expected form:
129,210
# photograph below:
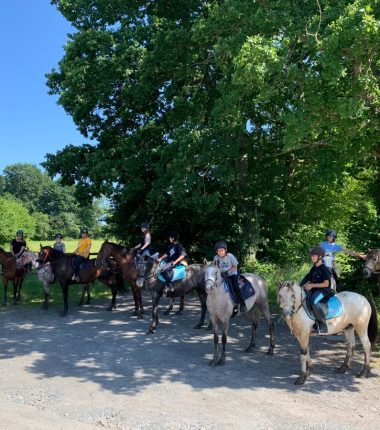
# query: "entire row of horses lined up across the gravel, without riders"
115,264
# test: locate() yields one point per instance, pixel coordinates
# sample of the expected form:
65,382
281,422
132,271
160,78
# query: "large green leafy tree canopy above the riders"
252,121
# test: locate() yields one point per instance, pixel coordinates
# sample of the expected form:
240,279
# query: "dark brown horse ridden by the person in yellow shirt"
63,270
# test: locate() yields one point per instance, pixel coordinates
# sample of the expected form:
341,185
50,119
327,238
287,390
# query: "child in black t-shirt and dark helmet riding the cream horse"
317,284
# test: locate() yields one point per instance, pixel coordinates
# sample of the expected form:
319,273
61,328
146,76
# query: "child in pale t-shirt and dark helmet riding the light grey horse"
228,265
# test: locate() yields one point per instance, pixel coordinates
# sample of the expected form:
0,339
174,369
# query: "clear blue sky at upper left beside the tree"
32,36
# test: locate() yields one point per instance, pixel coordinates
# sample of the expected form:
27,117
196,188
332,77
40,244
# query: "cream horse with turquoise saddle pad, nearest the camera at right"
359,314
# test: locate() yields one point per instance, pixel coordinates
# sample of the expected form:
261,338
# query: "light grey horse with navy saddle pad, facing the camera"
221,308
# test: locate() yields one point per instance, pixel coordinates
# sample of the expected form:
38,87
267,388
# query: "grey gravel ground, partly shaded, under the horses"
96,369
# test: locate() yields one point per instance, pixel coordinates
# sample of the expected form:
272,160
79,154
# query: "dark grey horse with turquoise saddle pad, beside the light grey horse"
194,280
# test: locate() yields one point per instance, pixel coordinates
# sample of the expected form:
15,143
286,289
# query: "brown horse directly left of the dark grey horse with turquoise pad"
125,259
